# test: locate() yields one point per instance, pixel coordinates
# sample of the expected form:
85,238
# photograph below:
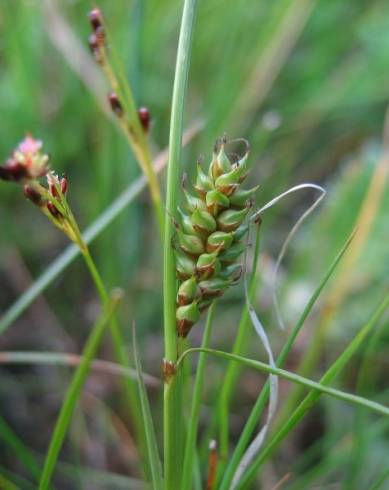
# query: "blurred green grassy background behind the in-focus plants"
307,83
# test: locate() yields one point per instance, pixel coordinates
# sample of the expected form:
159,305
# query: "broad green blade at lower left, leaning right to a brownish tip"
72,395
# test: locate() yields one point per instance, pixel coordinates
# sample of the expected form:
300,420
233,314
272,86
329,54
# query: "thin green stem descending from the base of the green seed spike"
190,443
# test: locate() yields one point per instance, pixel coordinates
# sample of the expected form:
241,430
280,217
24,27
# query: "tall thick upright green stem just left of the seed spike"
171,397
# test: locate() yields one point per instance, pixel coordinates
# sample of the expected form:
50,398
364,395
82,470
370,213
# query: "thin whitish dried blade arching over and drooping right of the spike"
290,235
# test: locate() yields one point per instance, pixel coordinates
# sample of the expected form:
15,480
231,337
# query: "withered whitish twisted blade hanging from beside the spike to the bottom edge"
255,446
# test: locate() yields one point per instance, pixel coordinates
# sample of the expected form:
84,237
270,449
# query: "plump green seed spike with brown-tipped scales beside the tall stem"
210,234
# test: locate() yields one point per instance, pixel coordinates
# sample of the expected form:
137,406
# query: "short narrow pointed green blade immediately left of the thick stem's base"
151,441
